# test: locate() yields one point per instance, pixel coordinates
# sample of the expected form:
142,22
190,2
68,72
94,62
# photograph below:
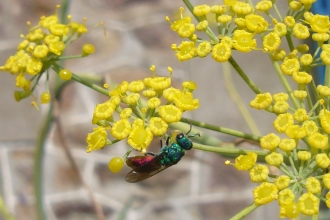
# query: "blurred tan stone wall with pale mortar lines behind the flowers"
137,36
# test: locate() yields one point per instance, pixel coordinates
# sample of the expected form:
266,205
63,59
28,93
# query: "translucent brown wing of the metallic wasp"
146,170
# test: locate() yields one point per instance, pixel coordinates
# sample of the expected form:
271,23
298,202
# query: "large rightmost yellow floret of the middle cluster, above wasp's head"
185,101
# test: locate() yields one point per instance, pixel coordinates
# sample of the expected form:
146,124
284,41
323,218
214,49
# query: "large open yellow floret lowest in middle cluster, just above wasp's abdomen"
140,137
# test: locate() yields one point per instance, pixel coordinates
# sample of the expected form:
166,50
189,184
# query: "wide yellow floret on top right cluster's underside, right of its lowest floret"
243,41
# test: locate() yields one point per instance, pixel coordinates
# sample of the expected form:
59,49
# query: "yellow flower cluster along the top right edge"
238,25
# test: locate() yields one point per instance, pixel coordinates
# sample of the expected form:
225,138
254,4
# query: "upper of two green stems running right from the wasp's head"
222,130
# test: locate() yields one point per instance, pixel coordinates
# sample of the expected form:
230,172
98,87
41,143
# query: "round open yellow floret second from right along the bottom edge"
308,204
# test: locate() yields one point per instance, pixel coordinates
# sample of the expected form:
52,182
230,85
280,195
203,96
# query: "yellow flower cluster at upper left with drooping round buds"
39,52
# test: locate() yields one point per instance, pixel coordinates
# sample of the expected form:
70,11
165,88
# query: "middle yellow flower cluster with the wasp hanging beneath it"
128,115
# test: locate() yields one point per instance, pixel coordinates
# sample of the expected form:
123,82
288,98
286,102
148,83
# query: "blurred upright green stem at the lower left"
38,164
